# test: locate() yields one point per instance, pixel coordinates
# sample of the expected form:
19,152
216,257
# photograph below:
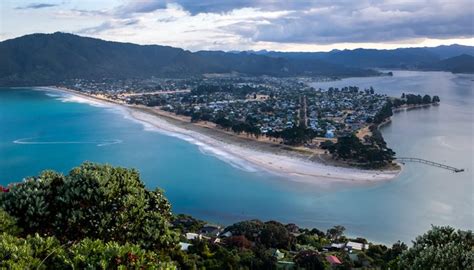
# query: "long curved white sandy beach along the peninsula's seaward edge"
263,156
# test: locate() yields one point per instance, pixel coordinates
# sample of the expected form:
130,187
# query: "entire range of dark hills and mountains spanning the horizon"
41,59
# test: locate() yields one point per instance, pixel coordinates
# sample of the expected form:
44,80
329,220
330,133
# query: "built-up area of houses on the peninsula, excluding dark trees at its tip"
258,106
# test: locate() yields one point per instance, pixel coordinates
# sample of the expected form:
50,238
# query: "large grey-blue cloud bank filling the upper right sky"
384,21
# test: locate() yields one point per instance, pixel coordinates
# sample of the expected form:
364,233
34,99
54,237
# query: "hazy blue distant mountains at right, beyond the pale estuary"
454,58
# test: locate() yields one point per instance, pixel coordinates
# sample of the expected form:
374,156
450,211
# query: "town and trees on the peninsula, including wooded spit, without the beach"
335,123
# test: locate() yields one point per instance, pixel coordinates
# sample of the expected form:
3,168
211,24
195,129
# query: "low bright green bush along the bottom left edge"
37,252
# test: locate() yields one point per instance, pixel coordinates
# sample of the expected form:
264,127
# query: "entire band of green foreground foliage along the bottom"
101,217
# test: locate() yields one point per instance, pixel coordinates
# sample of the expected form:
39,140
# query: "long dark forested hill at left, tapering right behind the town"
40,59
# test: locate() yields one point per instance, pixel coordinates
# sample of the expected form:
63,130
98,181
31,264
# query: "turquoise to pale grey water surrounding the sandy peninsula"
41,129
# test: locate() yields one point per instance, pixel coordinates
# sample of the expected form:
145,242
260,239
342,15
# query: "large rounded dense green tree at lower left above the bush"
95,201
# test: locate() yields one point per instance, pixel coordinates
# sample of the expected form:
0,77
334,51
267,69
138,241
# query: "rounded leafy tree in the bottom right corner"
440,248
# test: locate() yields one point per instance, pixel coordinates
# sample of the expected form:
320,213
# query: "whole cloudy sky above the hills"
298,25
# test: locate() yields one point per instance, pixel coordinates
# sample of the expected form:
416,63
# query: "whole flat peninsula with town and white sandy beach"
280,125
